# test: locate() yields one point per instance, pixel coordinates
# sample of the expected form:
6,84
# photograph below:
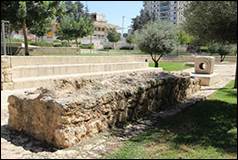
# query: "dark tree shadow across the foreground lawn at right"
207,123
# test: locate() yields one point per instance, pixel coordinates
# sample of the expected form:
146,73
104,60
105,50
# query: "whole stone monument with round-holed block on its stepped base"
204,70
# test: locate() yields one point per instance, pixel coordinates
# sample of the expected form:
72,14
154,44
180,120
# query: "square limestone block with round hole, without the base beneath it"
204,64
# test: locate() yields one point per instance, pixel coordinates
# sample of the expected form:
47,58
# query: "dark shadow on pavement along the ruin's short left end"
26,141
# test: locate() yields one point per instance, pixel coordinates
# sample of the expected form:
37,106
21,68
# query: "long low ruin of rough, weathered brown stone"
71,110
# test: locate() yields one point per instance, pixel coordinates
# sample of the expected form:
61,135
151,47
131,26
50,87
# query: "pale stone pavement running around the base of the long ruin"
18,145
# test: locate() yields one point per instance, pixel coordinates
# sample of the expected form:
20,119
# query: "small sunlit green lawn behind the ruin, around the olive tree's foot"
172,66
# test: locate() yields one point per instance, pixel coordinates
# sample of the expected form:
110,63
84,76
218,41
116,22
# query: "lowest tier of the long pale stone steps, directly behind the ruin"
44,81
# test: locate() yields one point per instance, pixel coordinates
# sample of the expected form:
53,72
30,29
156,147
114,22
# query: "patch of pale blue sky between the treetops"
114,10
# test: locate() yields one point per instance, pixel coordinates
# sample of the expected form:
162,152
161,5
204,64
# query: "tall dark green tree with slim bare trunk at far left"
27,14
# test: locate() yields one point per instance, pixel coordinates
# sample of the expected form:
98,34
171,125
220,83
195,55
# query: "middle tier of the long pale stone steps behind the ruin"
63,69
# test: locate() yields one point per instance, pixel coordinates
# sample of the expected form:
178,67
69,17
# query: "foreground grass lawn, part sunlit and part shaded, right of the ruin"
206,130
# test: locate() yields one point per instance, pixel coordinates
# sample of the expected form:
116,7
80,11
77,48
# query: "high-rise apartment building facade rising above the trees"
166,10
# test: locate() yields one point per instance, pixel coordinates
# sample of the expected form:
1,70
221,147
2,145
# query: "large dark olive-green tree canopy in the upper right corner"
212,20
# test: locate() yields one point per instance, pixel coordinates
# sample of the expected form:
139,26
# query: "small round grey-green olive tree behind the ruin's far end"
157,38
